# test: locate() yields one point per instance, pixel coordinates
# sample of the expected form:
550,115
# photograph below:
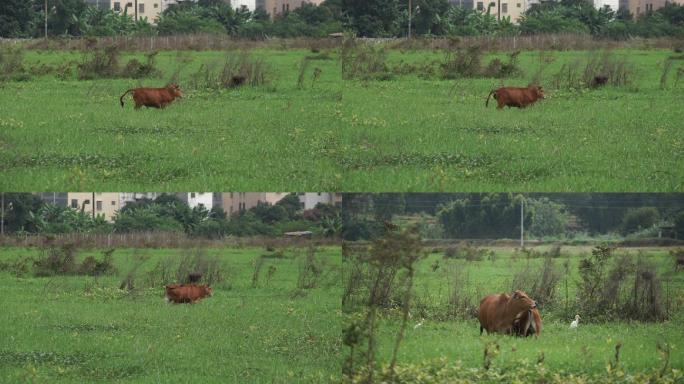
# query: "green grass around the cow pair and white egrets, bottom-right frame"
586,351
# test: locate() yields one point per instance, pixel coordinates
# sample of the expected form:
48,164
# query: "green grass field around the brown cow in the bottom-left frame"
75,329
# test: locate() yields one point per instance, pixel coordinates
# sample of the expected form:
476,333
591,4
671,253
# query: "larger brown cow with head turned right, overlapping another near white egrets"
498,312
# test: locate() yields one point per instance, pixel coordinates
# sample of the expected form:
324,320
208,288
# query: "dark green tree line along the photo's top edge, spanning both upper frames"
364,18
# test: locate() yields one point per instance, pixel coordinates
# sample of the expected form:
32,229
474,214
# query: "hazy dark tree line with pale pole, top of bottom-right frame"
498,215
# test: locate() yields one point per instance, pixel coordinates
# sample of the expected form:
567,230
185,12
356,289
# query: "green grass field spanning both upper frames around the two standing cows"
408,133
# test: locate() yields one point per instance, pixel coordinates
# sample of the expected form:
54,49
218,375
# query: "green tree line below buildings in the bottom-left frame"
26,213
